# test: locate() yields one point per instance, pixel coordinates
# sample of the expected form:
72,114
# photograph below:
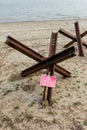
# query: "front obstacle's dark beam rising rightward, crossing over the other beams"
70,52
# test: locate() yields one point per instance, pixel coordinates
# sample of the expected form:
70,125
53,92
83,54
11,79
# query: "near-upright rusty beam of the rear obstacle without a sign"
81,53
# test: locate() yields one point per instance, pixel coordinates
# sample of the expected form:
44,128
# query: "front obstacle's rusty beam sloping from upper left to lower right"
31,53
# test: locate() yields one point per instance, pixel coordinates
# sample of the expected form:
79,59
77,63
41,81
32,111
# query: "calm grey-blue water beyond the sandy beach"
38,10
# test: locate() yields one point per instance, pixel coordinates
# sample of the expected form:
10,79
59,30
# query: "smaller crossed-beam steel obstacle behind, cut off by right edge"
76,38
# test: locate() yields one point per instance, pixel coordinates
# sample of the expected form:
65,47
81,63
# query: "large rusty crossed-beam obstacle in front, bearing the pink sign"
48,63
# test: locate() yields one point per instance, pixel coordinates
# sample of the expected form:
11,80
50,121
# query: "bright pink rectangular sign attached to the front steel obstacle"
48,81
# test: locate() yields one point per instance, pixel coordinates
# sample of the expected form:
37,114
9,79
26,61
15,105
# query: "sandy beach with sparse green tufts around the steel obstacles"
20,98
